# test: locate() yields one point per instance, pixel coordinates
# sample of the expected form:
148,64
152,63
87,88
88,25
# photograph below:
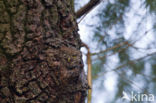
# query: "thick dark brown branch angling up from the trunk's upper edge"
85,9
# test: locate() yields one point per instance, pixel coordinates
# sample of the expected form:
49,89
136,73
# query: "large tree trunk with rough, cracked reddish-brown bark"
40,58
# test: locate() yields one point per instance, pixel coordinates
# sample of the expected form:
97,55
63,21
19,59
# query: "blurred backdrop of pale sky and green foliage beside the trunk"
122,37
